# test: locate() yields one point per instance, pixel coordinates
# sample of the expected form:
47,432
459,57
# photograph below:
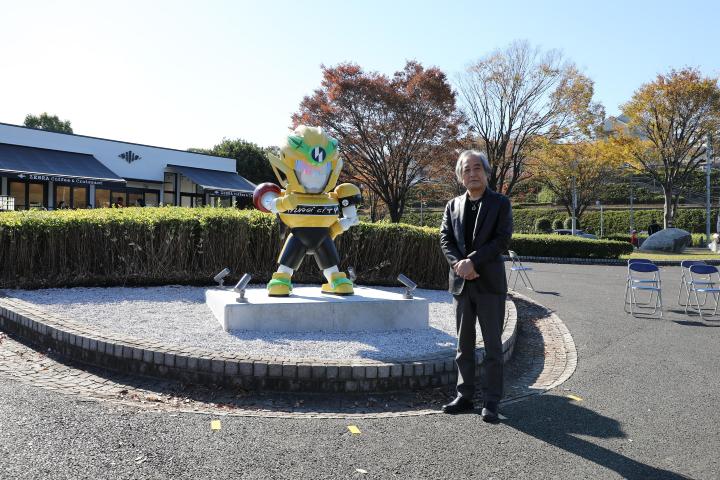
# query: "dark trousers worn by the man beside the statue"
489,310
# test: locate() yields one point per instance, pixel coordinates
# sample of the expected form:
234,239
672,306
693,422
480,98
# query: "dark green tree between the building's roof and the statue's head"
251,160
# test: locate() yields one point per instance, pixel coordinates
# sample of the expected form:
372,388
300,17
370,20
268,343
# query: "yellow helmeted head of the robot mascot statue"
309,161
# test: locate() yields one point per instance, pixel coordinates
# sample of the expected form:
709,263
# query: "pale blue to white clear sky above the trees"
188,73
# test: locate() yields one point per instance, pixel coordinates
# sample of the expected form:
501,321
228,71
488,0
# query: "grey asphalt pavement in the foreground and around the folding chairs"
649,409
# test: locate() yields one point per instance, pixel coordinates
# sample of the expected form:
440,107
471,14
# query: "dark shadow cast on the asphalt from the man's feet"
558,421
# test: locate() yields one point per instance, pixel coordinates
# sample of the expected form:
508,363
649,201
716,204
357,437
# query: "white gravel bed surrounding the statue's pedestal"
177,315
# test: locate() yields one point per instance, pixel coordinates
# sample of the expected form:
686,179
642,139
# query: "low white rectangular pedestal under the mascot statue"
308,310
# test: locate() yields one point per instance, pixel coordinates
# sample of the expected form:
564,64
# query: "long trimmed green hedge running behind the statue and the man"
145,246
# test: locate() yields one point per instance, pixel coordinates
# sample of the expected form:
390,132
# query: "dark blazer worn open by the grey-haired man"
491,238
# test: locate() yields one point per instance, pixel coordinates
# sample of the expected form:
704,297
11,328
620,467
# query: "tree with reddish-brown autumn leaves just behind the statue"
393,131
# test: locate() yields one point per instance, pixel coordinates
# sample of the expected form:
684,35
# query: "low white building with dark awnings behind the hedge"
41,169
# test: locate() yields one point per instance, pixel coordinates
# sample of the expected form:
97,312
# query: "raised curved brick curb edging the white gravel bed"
126,354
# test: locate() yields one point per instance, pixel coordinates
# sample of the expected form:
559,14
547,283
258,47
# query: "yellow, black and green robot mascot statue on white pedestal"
308,169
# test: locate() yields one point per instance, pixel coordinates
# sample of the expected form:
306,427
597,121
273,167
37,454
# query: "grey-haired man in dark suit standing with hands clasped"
475,231
